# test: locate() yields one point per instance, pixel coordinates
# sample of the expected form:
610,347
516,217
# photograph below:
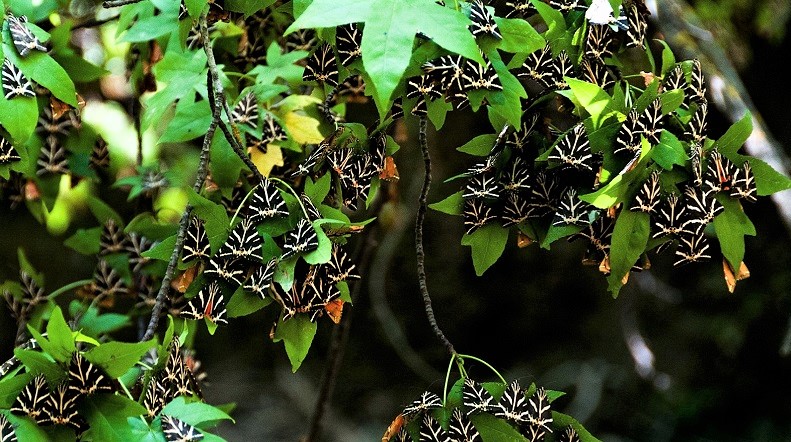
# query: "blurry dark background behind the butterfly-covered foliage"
718,372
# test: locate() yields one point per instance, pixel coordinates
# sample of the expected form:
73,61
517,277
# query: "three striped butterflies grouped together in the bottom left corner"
60,404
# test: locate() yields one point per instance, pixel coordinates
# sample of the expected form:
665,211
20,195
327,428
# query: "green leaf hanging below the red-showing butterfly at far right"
731,226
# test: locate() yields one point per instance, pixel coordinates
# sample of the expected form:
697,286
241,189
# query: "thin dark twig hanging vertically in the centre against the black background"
421,257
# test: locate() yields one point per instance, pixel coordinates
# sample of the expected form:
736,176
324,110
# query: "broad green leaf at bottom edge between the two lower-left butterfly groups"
107,415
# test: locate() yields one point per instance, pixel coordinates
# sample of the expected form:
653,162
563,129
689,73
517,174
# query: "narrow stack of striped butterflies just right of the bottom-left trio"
175,379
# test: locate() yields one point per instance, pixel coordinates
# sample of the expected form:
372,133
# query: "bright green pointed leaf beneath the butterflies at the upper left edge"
44,70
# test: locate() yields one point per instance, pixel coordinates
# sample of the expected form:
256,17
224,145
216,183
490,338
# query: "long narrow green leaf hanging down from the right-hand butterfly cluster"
629,239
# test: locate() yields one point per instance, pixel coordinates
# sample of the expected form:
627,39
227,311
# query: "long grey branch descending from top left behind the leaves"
203,169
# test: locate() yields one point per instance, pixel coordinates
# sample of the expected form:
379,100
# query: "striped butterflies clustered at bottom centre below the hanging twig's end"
532,416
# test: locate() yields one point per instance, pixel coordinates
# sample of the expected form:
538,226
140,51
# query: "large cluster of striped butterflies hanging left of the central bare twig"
238,262
